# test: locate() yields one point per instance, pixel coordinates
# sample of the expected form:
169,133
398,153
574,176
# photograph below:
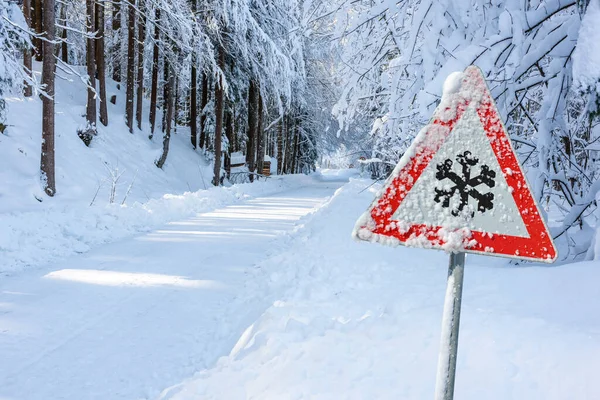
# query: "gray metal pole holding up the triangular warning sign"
444,388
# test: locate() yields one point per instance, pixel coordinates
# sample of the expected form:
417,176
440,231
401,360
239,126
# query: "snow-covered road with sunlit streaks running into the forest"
129,319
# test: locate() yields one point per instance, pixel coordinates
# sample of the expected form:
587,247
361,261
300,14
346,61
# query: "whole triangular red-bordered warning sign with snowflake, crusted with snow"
460,187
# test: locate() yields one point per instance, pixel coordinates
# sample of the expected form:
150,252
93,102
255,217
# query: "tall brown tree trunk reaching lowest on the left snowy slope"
47,157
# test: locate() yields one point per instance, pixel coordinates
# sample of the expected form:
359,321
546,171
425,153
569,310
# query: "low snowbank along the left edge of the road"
33,238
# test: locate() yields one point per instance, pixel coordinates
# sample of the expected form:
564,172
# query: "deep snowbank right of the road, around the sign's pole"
357,321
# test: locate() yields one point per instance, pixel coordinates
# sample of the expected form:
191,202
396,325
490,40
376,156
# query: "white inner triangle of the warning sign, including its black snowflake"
474,186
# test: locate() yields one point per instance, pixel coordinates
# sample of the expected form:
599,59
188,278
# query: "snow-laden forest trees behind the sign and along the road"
295,80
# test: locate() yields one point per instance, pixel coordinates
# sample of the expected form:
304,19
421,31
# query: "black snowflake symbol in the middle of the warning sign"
465,185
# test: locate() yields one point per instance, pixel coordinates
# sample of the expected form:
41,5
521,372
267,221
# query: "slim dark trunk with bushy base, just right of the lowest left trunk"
90,58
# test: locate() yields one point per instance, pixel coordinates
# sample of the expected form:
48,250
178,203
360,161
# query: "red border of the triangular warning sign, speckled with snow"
538,246
